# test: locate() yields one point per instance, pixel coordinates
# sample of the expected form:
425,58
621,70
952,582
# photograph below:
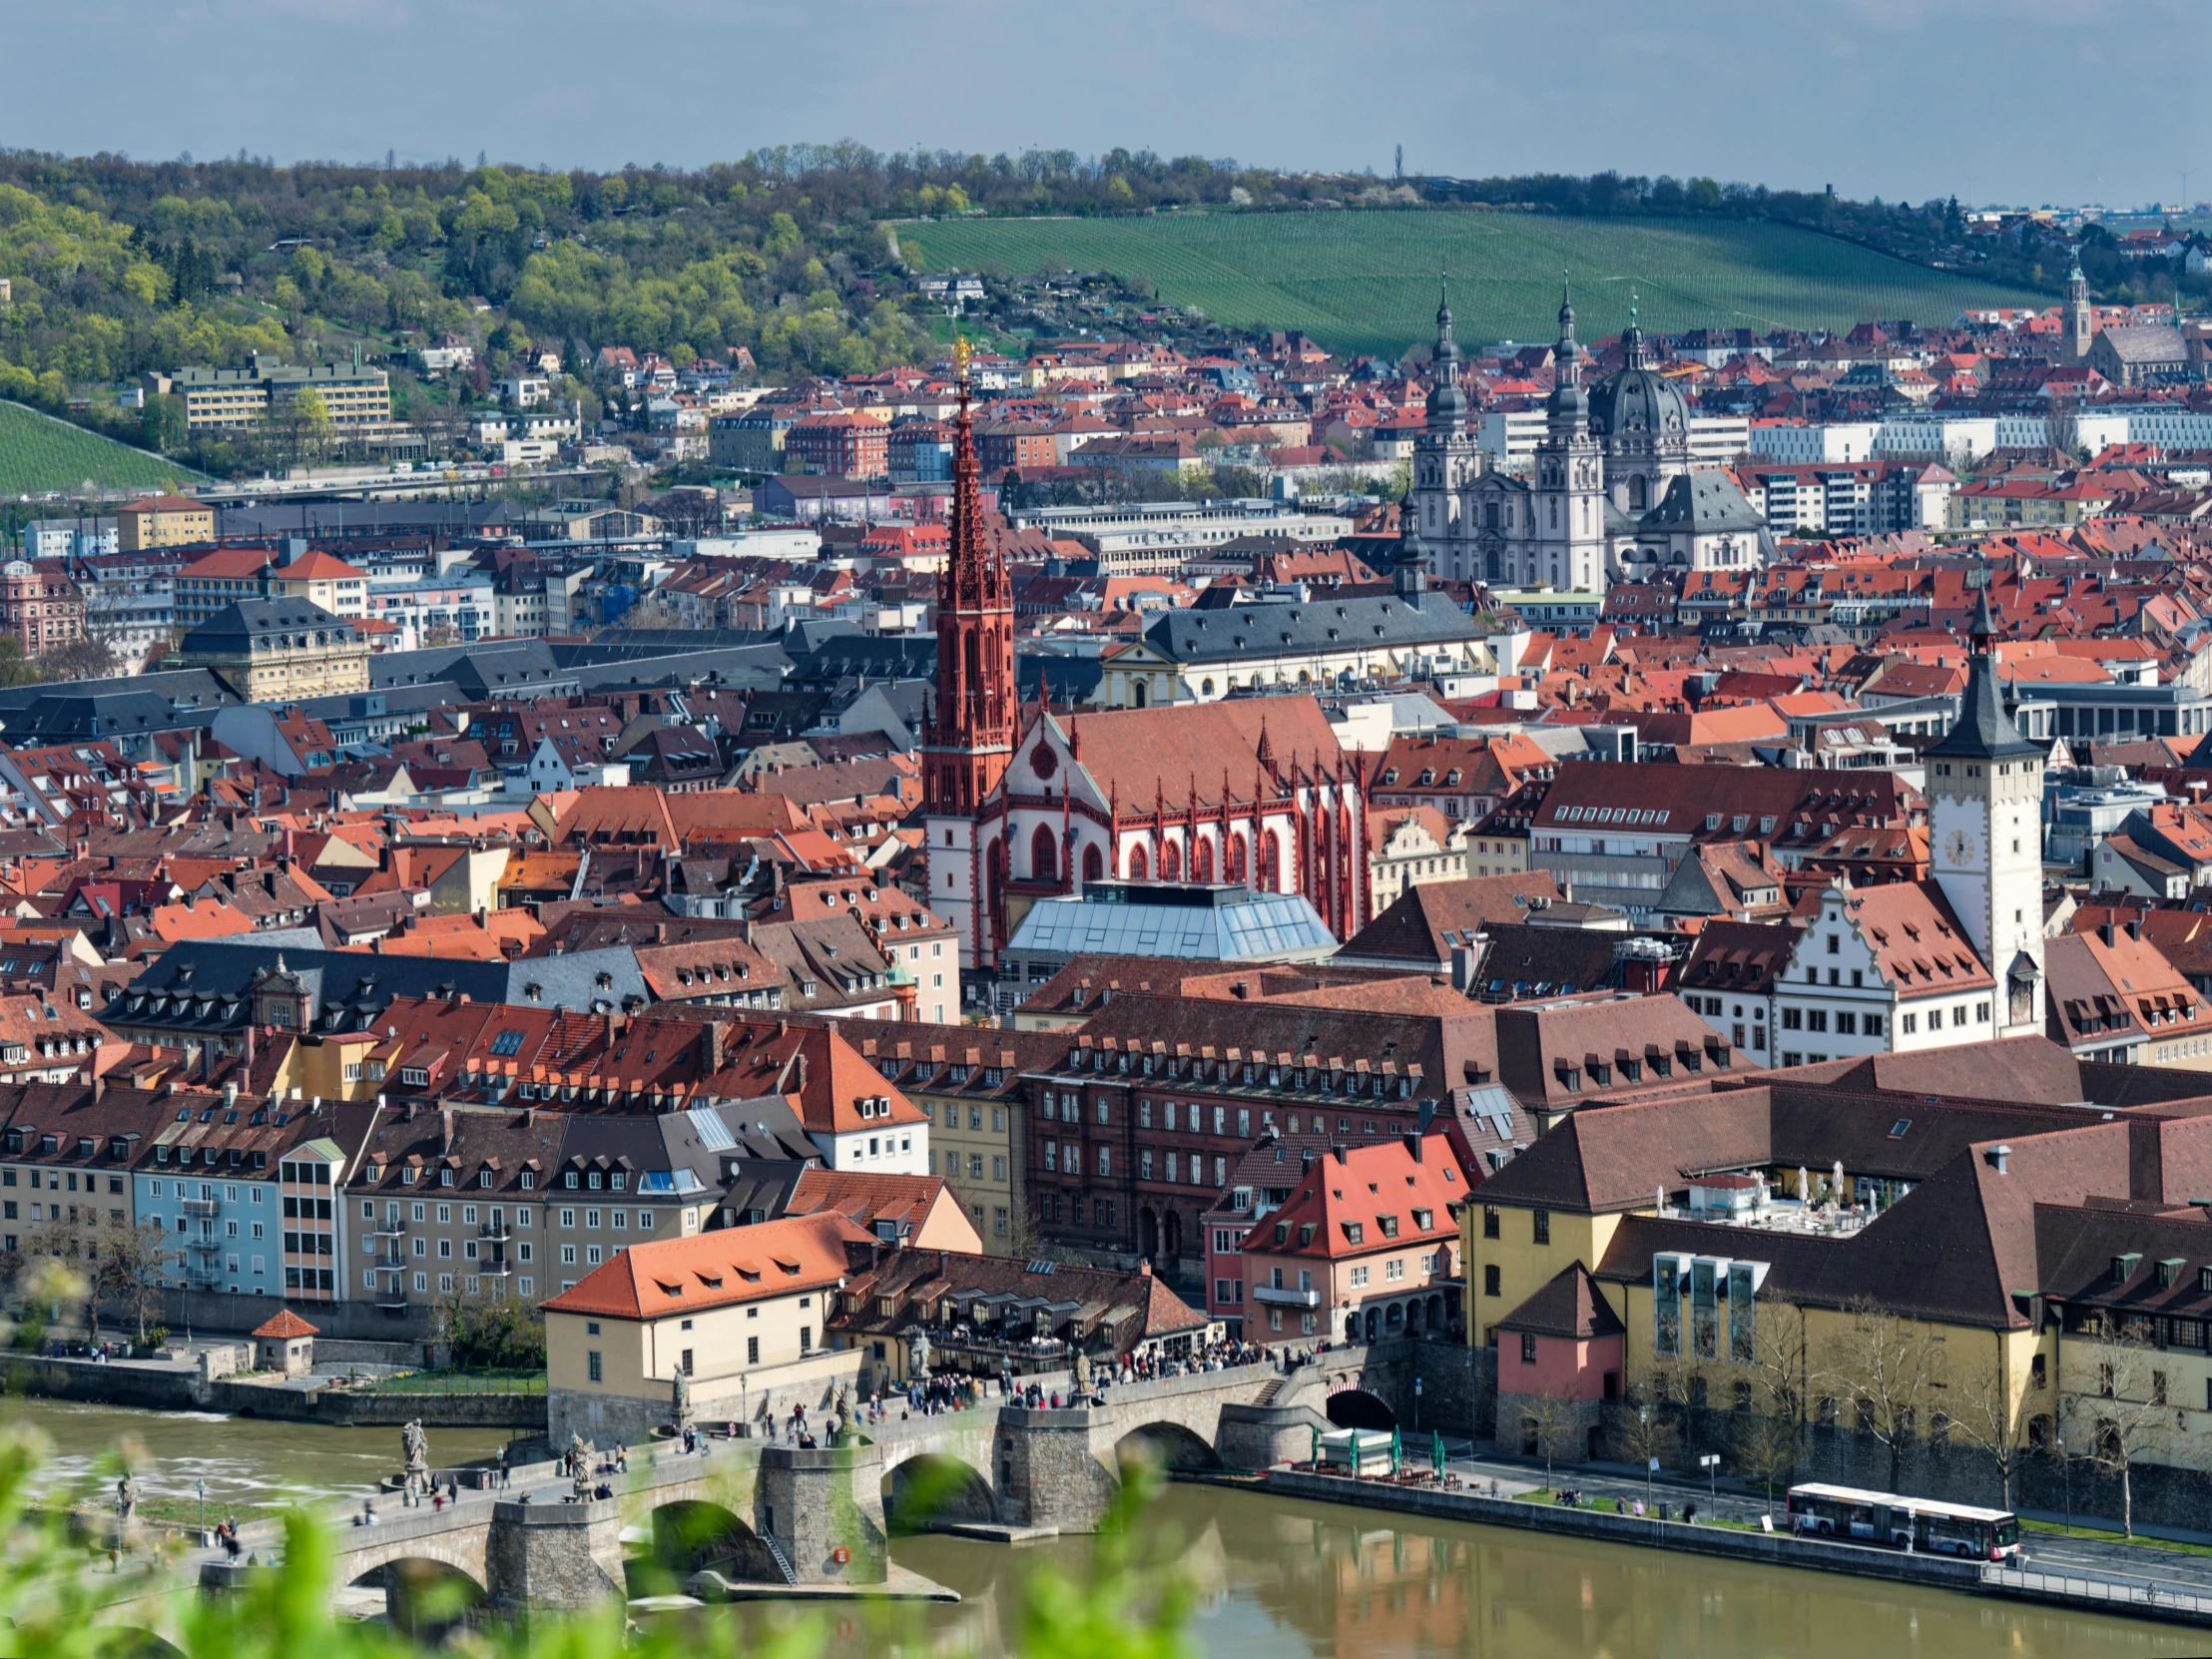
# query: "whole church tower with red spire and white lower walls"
970,729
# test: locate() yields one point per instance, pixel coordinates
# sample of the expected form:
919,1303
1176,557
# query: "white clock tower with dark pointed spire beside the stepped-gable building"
1985,831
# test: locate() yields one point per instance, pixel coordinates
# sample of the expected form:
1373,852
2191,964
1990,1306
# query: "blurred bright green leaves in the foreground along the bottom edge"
59,1592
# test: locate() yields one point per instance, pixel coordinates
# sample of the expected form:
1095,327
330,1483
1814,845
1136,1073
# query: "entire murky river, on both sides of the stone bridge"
1273,1578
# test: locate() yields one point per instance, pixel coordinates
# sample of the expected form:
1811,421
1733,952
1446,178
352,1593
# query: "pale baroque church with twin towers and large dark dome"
1611,497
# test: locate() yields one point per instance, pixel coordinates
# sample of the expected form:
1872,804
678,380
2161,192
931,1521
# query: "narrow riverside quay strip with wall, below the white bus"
2138,1598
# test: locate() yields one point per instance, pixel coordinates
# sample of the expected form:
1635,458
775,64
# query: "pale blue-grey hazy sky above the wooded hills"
1992,101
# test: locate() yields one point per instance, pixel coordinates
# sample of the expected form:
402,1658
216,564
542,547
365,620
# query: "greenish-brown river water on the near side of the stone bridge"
1288,1578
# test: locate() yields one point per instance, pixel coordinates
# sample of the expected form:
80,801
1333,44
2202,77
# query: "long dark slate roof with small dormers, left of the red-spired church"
202,985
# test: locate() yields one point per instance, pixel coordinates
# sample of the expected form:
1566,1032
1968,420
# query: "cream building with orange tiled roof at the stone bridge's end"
740,1315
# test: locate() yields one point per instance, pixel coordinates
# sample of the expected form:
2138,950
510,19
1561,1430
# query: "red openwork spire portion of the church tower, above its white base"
974,716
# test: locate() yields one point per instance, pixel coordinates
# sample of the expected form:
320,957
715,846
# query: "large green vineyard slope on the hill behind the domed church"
1366,282
